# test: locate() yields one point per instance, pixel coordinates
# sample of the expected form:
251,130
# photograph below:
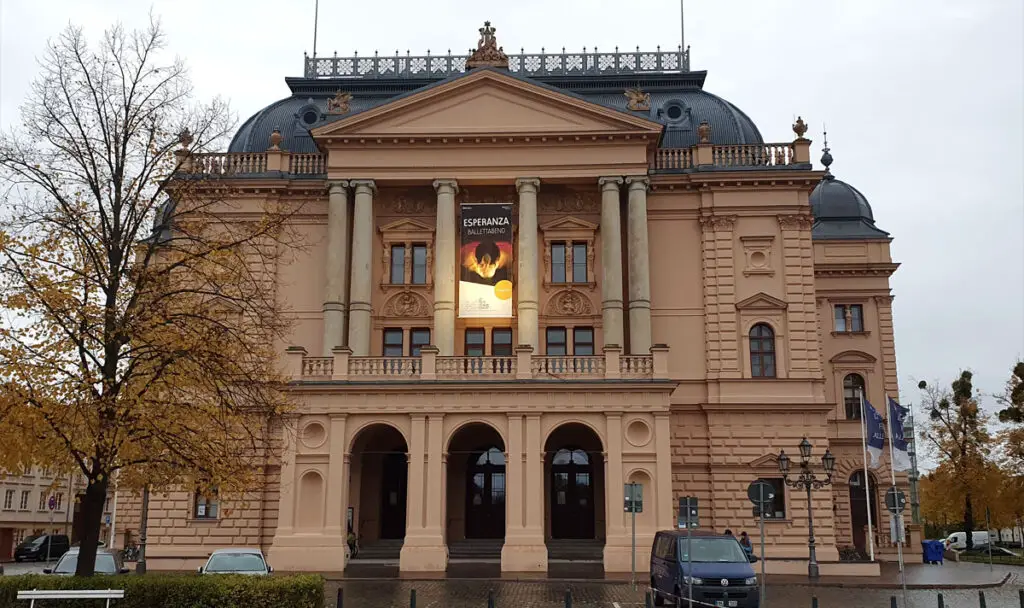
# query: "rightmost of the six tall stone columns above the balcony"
639,255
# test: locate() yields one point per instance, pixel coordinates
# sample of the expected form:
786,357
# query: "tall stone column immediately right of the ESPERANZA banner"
528,308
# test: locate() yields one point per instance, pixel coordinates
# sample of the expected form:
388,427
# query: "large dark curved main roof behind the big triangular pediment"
678,102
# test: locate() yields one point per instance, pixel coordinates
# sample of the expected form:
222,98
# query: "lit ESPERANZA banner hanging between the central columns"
486,262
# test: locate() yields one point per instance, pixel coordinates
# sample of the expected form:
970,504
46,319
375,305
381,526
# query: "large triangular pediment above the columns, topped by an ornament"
488,103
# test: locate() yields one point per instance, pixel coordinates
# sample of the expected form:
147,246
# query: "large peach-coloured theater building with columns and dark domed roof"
534,279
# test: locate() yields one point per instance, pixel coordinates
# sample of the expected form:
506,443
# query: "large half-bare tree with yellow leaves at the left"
138,323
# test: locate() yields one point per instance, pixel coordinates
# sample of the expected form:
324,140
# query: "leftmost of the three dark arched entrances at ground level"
379,485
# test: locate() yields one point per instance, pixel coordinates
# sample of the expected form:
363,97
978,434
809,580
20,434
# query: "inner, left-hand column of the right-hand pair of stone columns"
612,263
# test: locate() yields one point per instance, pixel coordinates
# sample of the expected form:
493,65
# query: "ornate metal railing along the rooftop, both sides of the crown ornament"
524,64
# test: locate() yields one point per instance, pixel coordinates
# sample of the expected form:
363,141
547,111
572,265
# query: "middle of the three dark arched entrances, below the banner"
477,485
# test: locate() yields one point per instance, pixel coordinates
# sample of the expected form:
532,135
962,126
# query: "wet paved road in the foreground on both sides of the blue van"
451,594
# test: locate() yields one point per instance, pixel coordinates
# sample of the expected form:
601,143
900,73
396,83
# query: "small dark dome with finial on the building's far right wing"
841,212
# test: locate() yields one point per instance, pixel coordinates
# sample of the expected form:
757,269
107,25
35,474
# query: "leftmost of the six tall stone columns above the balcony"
336,283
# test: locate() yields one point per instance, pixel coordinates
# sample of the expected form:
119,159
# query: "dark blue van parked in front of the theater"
721,571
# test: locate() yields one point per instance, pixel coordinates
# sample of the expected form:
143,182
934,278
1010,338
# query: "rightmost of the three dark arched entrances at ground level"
575,484
